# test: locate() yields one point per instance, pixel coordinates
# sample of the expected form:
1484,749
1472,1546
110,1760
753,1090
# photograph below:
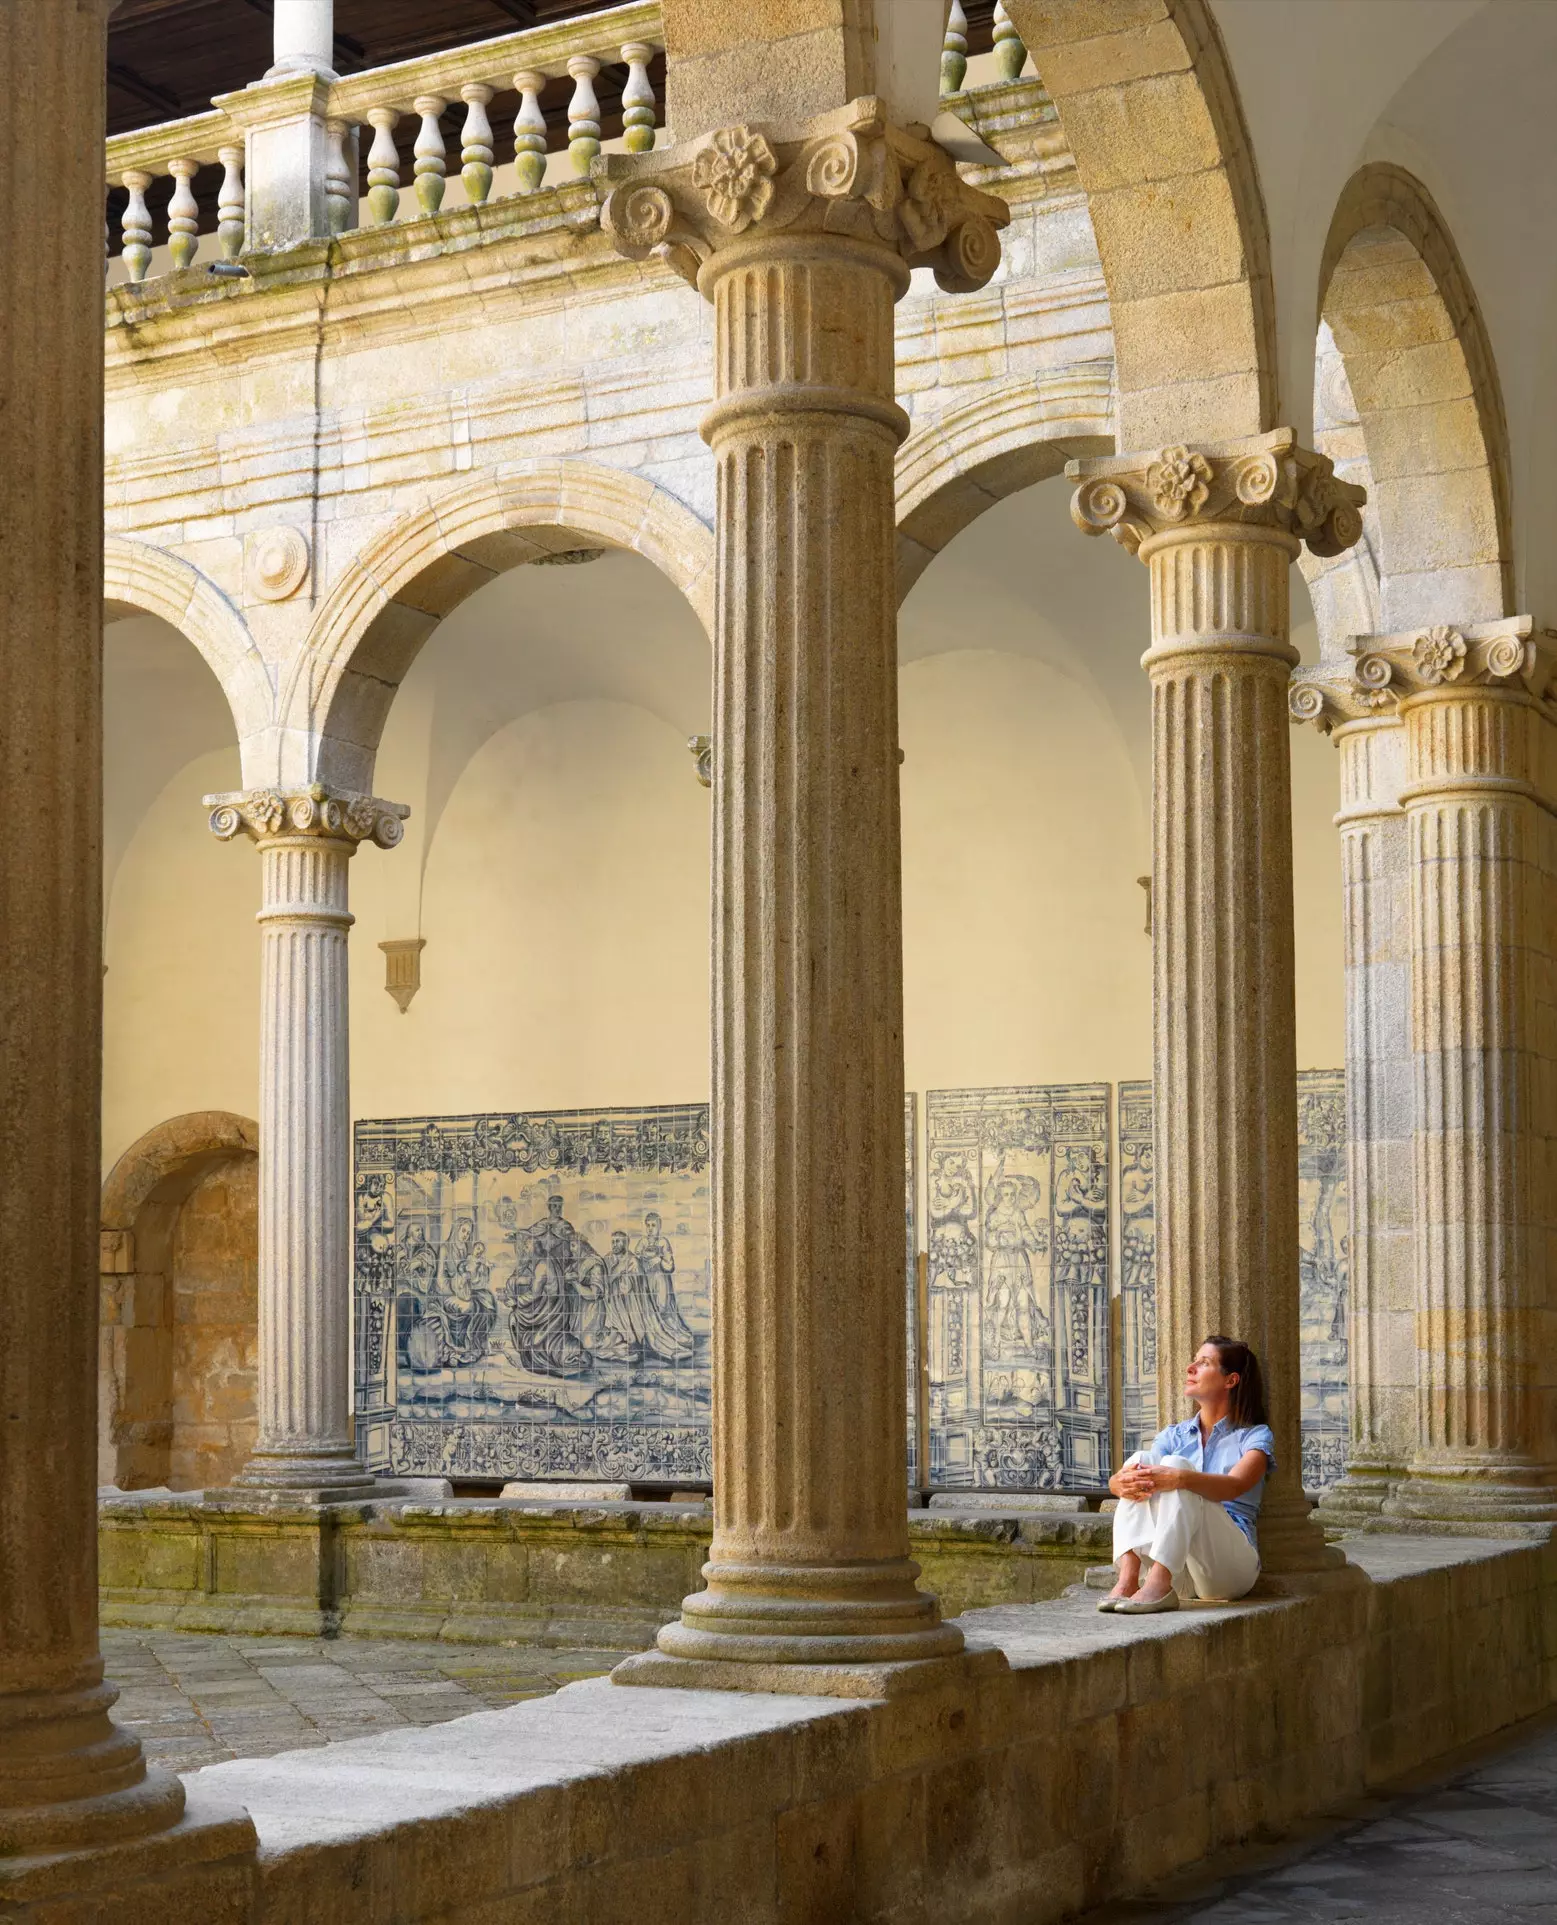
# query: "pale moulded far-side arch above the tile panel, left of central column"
394,596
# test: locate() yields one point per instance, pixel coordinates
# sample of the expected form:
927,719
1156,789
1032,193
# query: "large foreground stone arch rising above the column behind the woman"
1152,116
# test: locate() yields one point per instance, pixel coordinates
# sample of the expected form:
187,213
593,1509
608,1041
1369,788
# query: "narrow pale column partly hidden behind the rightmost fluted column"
1375,883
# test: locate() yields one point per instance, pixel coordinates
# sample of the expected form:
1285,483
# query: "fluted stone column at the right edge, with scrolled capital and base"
1481,802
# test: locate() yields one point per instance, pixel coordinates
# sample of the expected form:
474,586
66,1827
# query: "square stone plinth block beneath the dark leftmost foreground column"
201,1868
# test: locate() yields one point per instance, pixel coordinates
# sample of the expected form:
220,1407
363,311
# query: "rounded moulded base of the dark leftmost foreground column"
72,1778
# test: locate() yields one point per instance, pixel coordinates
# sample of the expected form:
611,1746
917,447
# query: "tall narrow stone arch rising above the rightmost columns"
1419,367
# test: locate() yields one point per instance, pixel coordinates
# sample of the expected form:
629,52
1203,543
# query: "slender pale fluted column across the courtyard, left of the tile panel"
307,838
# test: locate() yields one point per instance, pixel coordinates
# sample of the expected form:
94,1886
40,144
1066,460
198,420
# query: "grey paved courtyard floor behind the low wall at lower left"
195,1701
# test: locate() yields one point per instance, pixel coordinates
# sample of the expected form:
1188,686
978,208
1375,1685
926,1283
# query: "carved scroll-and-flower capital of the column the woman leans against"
1263,482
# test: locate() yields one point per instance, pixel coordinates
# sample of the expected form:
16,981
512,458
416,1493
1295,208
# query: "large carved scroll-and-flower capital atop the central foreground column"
850,172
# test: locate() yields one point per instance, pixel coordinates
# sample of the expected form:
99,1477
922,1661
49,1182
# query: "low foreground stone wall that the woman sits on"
1065,1764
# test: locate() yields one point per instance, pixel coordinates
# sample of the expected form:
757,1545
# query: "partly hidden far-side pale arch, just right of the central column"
1009,438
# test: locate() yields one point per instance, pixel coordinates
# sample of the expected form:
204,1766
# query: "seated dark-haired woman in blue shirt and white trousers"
1192,1501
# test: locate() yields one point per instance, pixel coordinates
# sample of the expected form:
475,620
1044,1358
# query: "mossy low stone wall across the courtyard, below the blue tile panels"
499,1572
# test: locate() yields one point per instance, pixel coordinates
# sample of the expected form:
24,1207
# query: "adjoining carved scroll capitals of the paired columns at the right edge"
1385,671
